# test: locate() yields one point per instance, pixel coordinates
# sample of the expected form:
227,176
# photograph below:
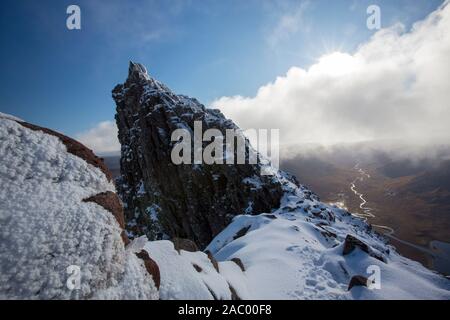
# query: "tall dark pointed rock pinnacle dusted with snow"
164,200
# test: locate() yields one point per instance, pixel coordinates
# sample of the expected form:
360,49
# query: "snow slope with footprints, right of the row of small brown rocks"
310,250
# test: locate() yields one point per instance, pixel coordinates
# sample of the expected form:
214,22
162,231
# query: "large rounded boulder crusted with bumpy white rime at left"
48,223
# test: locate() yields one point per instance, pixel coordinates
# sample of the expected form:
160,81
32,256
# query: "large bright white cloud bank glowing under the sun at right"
395,86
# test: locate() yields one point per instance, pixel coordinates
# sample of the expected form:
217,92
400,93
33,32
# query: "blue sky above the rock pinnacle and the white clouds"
207,49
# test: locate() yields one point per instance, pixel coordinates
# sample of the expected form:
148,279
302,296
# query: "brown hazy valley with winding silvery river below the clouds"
407,203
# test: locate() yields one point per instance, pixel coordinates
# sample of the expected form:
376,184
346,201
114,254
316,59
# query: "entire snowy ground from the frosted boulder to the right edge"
304,250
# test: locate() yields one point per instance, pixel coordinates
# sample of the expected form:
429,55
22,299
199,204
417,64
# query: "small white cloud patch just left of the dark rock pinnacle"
102,138
